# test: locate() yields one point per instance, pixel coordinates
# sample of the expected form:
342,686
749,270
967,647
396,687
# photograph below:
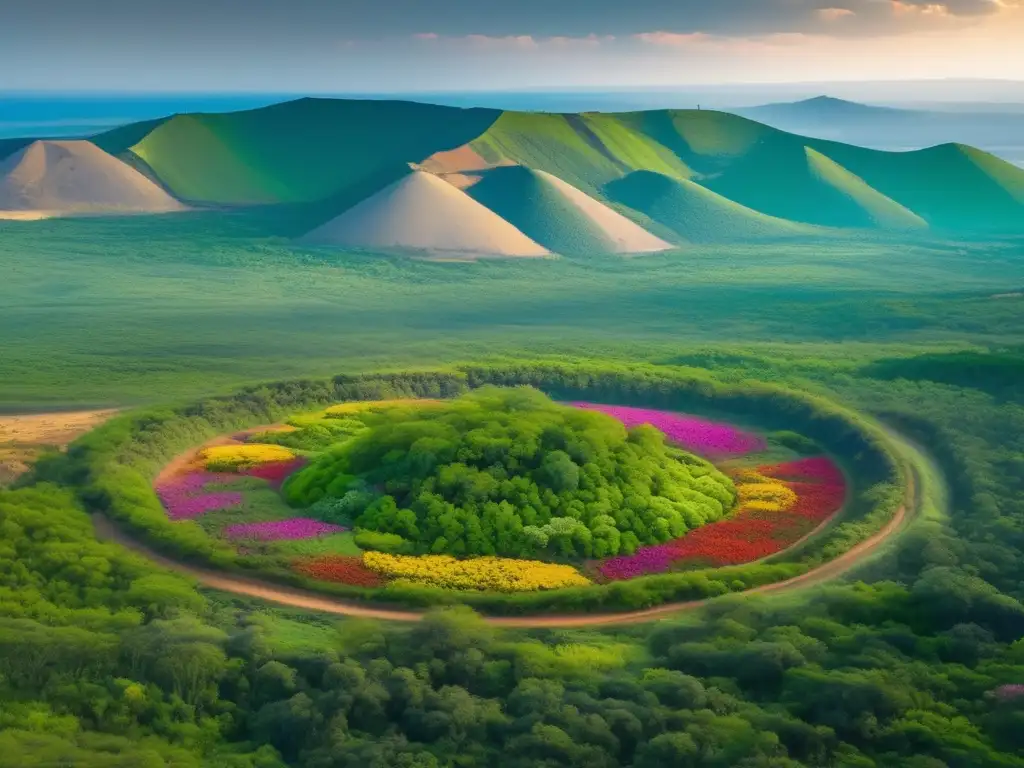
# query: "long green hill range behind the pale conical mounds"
337,152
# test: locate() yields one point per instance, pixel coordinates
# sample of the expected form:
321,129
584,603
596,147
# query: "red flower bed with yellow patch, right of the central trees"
775,514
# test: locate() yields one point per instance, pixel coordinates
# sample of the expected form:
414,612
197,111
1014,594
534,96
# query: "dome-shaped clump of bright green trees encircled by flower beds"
508,473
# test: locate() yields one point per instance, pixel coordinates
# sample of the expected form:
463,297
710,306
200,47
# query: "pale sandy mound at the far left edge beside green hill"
61,179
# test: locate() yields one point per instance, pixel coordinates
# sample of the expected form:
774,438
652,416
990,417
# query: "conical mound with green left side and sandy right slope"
559,216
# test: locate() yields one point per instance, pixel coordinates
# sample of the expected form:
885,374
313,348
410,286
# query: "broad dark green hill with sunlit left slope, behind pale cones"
301,151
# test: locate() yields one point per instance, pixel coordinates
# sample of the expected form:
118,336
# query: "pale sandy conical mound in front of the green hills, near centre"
423,212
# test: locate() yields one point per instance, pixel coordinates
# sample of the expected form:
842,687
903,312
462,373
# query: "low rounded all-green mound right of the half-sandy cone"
696,214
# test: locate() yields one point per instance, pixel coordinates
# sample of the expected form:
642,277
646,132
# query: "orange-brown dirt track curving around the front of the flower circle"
296,599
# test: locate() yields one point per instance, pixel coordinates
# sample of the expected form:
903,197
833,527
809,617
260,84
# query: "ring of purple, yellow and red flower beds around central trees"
778,505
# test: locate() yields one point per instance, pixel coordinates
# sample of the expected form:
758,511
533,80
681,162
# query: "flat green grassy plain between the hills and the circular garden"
146,310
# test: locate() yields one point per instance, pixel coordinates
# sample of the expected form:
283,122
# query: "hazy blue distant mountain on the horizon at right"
898,130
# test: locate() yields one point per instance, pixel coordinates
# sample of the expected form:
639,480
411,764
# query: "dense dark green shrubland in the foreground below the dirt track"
107,662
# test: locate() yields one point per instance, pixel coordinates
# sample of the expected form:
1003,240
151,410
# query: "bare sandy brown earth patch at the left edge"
25,437
